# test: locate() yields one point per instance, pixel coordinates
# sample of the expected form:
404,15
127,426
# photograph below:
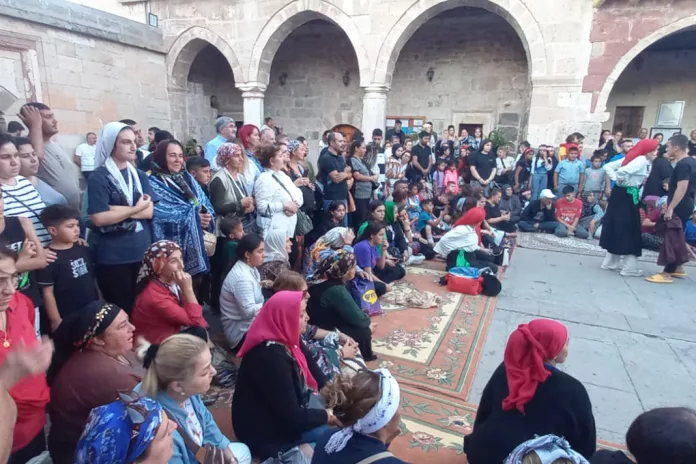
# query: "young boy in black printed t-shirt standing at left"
68,283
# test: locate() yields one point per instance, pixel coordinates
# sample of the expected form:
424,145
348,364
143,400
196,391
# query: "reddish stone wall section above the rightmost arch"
618,27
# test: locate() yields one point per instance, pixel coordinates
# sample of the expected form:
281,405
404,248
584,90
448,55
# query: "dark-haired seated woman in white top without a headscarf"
241,298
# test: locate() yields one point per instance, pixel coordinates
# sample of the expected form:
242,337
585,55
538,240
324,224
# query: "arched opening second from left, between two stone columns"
314,82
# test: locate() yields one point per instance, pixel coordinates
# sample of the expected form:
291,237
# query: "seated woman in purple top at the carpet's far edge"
378,267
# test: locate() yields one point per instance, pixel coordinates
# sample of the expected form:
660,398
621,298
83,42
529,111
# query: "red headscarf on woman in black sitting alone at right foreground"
528,348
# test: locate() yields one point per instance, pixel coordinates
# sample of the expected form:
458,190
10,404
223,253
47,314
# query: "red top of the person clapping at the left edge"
31,394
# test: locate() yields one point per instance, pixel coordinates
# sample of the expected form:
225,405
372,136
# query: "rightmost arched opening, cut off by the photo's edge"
656,90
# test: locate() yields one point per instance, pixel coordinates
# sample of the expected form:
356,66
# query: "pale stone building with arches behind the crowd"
534,69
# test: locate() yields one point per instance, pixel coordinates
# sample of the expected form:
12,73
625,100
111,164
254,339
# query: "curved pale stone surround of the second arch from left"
291,17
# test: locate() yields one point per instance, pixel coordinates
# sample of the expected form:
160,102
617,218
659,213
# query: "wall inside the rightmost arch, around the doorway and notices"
663,76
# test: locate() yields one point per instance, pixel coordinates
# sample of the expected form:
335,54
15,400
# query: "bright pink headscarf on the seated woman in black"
279,321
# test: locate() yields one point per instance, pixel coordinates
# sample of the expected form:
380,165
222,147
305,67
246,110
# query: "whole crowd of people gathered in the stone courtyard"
117,275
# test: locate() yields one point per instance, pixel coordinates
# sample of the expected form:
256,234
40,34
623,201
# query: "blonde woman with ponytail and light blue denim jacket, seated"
179,370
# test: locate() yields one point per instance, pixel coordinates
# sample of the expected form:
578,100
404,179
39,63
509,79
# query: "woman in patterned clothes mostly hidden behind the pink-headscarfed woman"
329,348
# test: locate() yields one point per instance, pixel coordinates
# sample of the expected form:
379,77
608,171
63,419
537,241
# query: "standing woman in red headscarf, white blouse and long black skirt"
621,233
